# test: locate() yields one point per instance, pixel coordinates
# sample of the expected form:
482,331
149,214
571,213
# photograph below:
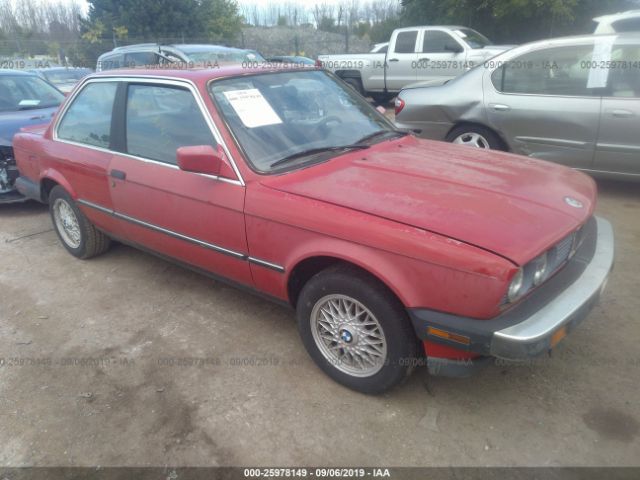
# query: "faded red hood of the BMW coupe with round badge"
510,205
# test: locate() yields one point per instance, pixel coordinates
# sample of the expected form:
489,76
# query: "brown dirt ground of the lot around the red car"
129,360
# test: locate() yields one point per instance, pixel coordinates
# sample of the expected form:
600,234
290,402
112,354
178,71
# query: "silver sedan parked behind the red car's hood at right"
574,101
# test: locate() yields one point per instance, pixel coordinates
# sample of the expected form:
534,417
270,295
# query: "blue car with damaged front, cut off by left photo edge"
25,100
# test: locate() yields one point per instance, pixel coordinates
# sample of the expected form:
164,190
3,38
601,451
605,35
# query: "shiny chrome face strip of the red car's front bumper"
545,322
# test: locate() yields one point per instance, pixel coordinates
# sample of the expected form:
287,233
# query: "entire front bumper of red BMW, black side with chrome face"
540,321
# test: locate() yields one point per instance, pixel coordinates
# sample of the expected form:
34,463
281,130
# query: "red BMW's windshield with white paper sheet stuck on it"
286,120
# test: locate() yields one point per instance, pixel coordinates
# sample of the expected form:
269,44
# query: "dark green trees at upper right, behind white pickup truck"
513,21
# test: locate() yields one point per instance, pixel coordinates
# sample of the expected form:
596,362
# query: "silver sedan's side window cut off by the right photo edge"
624,74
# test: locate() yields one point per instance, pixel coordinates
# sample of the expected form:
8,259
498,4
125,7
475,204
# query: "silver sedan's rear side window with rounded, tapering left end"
555,71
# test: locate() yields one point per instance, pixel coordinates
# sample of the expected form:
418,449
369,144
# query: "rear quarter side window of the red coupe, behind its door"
88,119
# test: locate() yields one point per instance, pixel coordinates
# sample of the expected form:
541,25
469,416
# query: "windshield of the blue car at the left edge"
26,92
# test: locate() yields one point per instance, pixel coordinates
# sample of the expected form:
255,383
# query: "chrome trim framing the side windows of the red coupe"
161,81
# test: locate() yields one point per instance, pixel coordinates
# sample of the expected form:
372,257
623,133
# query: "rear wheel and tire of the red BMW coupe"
77,234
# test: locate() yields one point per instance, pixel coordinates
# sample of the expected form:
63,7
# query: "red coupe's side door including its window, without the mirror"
195,218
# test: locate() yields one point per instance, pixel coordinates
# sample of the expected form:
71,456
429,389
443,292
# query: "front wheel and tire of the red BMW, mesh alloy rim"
381,315
